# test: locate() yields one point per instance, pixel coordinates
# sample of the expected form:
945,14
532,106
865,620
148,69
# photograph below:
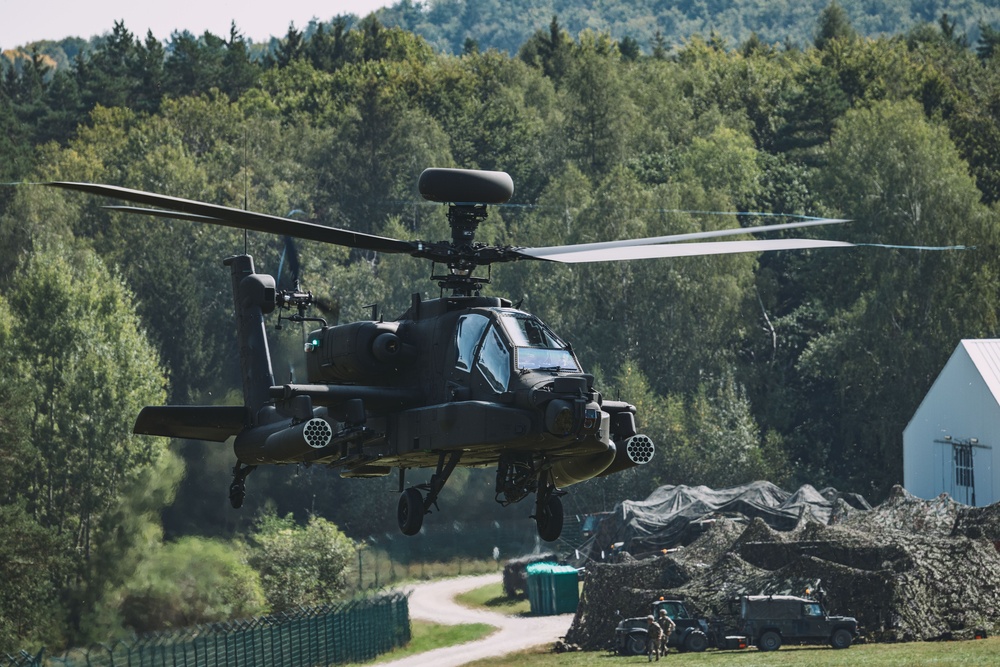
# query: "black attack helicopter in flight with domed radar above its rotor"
461,380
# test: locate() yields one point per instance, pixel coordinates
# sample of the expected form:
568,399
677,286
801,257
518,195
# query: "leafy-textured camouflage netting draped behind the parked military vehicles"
908,570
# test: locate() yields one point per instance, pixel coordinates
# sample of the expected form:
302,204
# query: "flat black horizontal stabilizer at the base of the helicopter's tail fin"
196,422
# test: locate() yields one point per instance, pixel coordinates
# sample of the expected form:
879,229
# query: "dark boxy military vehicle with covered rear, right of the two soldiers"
768,621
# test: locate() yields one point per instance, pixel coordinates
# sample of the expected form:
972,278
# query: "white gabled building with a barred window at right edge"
951,442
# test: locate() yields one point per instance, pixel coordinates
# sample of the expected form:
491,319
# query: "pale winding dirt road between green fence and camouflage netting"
434,602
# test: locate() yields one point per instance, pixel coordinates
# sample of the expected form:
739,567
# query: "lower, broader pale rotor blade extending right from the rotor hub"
624,253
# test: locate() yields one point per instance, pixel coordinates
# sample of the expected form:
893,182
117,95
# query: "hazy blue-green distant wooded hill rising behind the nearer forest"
454,26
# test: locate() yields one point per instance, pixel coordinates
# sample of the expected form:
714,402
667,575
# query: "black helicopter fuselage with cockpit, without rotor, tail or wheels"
461,374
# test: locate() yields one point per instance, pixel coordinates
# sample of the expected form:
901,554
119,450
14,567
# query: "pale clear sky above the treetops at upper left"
23,21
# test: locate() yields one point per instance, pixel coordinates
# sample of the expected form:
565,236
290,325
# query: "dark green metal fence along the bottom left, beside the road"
354,631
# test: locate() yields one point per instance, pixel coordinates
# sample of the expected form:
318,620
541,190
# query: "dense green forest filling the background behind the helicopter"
794,367
